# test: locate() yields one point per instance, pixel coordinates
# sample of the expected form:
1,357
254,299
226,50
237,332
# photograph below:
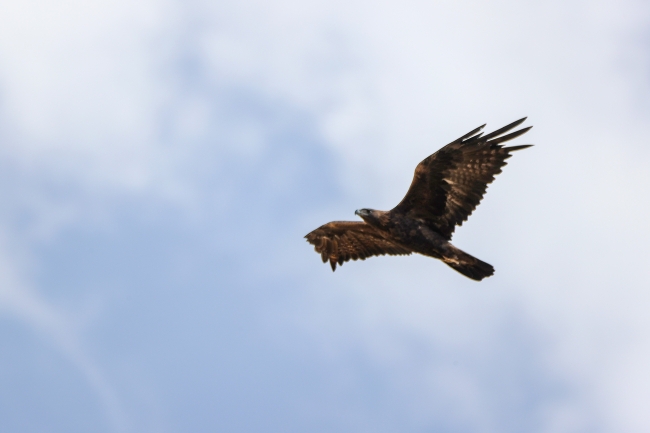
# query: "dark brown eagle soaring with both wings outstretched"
446,188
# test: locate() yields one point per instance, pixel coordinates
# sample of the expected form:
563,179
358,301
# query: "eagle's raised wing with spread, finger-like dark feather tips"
448,185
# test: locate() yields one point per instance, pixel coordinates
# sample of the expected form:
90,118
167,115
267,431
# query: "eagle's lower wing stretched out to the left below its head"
340,241
